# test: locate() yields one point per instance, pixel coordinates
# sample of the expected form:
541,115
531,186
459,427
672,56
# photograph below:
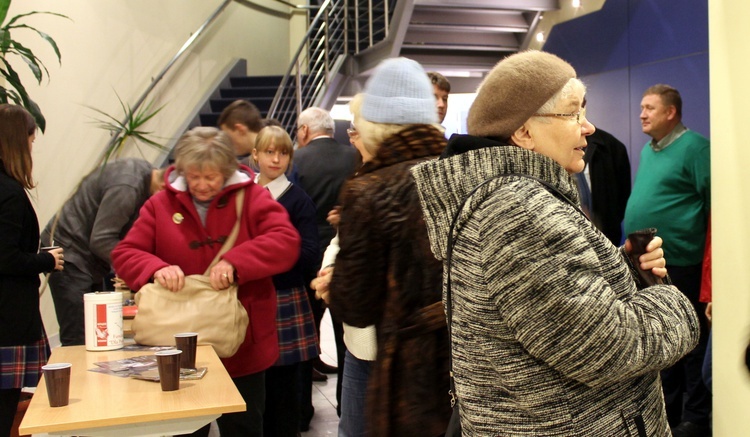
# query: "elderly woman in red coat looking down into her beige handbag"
181,229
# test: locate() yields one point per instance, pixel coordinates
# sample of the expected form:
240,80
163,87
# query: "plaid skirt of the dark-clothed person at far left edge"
21,366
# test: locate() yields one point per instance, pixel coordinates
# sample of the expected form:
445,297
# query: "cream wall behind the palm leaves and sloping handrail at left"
110,47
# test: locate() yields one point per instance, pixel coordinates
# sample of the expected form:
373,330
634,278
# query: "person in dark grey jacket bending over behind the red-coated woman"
88,227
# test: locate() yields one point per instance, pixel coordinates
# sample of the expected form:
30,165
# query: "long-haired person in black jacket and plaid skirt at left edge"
23,343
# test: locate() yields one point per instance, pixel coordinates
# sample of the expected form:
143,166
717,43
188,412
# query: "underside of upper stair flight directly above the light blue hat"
462,39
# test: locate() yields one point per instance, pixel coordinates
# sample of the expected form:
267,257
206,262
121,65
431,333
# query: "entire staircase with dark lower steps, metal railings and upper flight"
463,39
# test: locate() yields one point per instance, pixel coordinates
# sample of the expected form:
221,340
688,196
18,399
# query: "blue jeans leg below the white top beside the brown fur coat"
353,395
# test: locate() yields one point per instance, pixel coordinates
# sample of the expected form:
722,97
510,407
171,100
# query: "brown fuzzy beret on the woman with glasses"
514,90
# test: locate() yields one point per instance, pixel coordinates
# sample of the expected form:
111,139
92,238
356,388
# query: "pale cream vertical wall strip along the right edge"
730,192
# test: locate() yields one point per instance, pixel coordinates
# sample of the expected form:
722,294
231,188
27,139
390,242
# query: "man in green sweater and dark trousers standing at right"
672,192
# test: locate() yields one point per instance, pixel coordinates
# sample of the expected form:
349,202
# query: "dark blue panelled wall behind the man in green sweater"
630,45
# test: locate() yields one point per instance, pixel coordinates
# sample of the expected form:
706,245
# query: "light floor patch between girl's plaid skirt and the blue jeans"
325,422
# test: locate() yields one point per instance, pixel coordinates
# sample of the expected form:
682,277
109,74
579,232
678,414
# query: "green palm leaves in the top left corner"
13,90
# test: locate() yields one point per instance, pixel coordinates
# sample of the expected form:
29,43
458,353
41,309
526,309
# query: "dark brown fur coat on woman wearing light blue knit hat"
386,276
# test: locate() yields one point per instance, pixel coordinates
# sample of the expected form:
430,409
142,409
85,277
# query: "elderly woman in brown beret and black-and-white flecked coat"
553,331
